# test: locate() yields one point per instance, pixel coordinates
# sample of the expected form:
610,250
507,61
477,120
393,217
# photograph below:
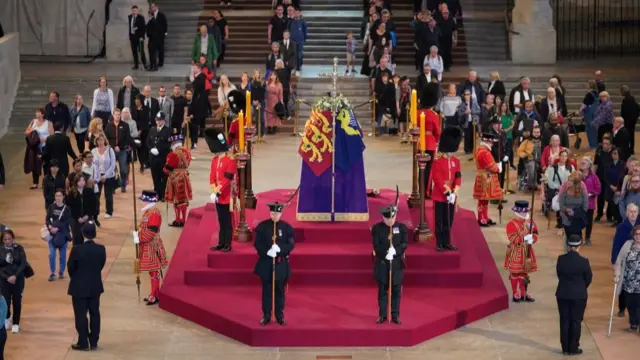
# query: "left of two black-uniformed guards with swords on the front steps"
274,243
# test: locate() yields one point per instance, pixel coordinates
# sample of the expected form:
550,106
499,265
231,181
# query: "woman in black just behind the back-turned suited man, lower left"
82,203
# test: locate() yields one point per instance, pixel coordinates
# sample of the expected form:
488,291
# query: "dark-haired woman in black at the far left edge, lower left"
13,262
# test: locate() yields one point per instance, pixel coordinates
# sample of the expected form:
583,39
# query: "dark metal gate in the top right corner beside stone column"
592,28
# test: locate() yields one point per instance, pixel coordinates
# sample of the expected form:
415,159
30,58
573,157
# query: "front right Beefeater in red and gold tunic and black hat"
520,259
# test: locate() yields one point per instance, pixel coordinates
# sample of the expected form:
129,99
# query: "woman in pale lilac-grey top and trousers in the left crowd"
105,160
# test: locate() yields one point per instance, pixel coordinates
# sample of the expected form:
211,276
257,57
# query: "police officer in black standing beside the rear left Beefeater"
159,147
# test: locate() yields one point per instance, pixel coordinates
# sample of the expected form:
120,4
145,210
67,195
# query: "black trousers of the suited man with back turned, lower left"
88,329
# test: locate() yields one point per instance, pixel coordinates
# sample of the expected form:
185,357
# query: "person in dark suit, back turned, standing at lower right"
574,277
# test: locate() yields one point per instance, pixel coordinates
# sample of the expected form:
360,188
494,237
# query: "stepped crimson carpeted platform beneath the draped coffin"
332,297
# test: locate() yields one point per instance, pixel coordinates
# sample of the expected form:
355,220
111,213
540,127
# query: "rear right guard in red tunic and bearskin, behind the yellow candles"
428,99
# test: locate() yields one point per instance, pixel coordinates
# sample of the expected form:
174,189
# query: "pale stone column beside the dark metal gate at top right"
535,43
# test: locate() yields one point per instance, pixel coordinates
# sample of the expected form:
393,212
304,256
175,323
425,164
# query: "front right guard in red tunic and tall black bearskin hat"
446,178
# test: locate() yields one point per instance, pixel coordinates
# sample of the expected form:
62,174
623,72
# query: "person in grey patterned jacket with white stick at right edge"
627,276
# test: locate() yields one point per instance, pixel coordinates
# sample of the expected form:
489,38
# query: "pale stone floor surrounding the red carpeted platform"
131,330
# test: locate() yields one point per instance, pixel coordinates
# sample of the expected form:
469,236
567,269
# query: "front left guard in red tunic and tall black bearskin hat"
222,180
